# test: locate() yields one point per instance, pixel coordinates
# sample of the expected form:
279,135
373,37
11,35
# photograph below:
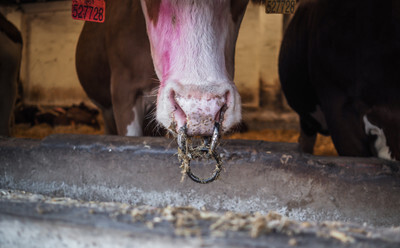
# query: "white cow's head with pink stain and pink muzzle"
193,46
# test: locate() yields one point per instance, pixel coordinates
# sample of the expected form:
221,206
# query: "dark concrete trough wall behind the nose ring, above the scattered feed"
257,177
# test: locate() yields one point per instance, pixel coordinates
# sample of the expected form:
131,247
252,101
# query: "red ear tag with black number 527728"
89,10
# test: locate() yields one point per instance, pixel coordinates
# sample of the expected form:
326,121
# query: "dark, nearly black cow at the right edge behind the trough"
339,67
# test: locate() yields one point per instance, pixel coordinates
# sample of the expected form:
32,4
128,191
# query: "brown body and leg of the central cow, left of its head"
115,68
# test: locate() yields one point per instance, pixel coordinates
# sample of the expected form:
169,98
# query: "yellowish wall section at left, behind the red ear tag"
48,62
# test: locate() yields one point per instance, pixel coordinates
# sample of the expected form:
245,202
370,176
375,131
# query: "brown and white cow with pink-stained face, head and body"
189,44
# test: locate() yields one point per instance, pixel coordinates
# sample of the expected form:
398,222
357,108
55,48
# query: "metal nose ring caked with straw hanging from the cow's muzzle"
207,150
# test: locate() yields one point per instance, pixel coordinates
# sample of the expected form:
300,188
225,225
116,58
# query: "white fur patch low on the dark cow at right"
381,147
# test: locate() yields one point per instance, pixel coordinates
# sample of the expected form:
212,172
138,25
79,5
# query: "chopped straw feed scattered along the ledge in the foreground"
188,221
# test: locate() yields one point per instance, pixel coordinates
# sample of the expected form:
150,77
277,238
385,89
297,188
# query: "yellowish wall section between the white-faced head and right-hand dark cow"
257,56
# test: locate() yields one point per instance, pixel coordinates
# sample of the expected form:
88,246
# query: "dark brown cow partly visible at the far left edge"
10,62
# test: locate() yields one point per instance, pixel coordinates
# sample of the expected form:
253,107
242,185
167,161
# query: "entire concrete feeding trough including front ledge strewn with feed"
258,177
